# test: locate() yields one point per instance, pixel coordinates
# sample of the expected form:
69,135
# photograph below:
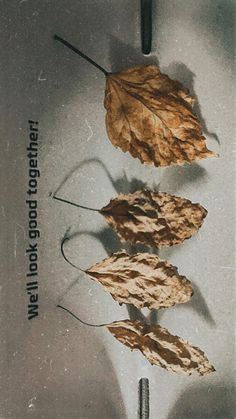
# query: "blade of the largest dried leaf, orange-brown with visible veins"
150,115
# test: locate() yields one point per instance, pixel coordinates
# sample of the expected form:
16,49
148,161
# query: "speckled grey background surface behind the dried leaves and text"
53,366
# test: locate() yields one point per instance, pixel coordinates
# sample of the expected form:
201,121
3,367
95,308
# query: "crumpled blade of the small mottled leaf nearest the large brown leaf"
154,219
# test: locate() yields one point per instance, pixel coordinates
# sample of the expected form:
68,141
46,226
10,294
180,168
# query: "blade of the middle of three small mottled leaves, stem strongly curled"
143,280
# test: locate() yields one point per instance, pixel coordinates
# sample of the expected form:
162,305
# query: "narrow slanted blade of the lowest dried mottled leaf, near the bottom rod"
161,348
